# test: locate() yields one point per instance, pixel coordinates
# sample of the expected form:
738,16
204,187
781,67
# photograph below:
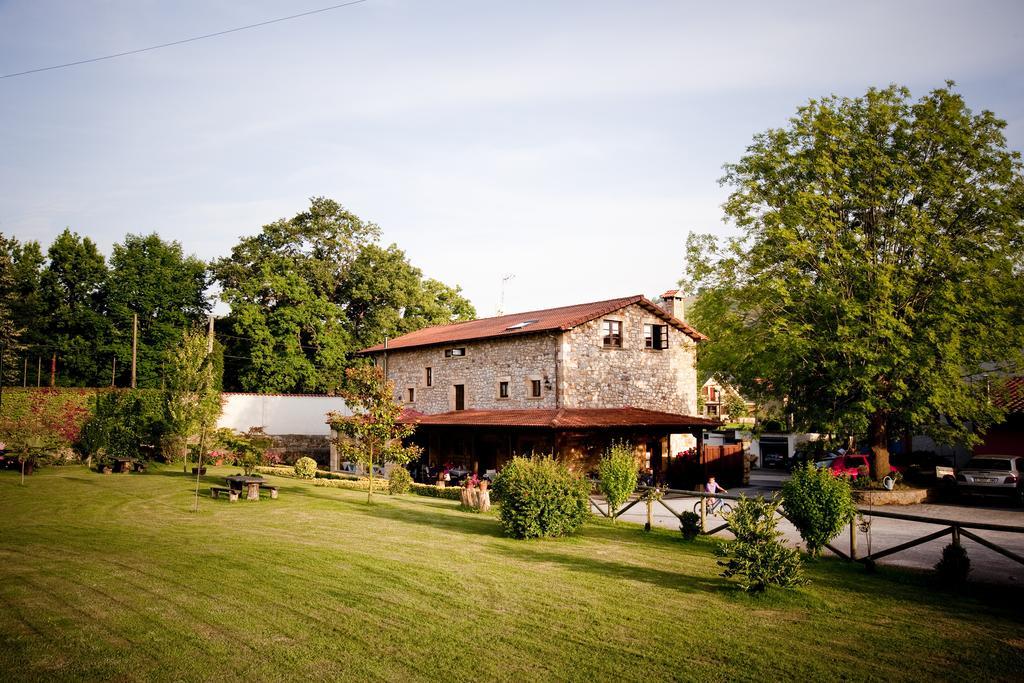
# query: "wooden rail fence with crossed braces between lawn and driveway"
956,529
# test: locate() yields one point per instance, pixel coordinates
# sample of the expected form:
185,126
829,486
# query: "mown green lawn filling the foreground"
114,578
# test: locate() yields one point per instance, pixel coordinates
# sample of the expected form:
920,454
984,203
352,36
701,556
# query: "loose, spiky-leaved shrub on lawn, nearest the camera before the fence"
757,557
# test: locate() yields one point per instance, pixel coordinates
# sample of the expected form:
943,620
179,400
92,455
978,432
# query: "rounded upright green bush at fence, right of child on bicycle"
819,504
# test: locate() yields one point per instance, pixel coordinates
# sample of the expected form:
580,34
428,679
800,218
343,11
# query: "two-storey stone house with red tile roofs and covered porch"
568,381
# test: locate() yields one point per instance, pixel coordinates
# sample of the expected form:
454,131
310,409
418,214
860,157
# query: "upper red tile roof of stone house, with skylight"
550,320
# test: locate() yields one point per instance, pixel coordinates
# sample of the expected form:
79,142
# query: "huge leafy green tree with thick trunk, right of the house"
877,270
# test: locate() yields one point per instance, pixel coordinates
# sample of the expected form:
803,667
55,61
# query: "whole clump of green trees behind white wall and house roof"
309,291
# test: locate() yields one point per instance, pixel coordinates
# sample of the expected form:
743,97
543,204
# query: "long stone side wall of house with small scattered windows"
515,360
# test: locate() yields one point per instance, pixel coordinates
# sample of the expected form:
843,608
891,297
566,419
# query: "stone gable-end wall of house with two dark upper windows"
657,380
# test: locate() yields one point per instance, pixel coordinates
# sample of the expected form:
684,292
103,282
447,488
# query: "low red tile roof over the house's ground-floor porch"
567,418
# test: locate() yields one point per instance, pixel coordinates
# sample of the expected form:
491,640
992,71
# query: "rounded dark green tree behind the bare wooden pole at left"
166,289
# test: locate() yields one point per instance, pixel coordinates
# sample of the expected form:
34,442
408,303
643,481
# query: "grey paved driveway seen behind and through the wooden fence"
987,566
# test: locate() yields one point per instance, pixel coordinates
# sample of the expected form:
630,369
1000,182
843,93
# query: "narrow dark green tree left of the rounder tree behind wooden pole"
71,290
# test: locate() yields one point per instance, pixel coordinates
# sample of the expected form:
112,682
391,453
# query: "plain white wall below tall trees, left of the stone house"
280,414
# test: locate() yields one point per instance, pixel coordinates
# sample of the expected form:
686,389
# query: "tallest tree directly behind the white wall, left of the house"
283,288
